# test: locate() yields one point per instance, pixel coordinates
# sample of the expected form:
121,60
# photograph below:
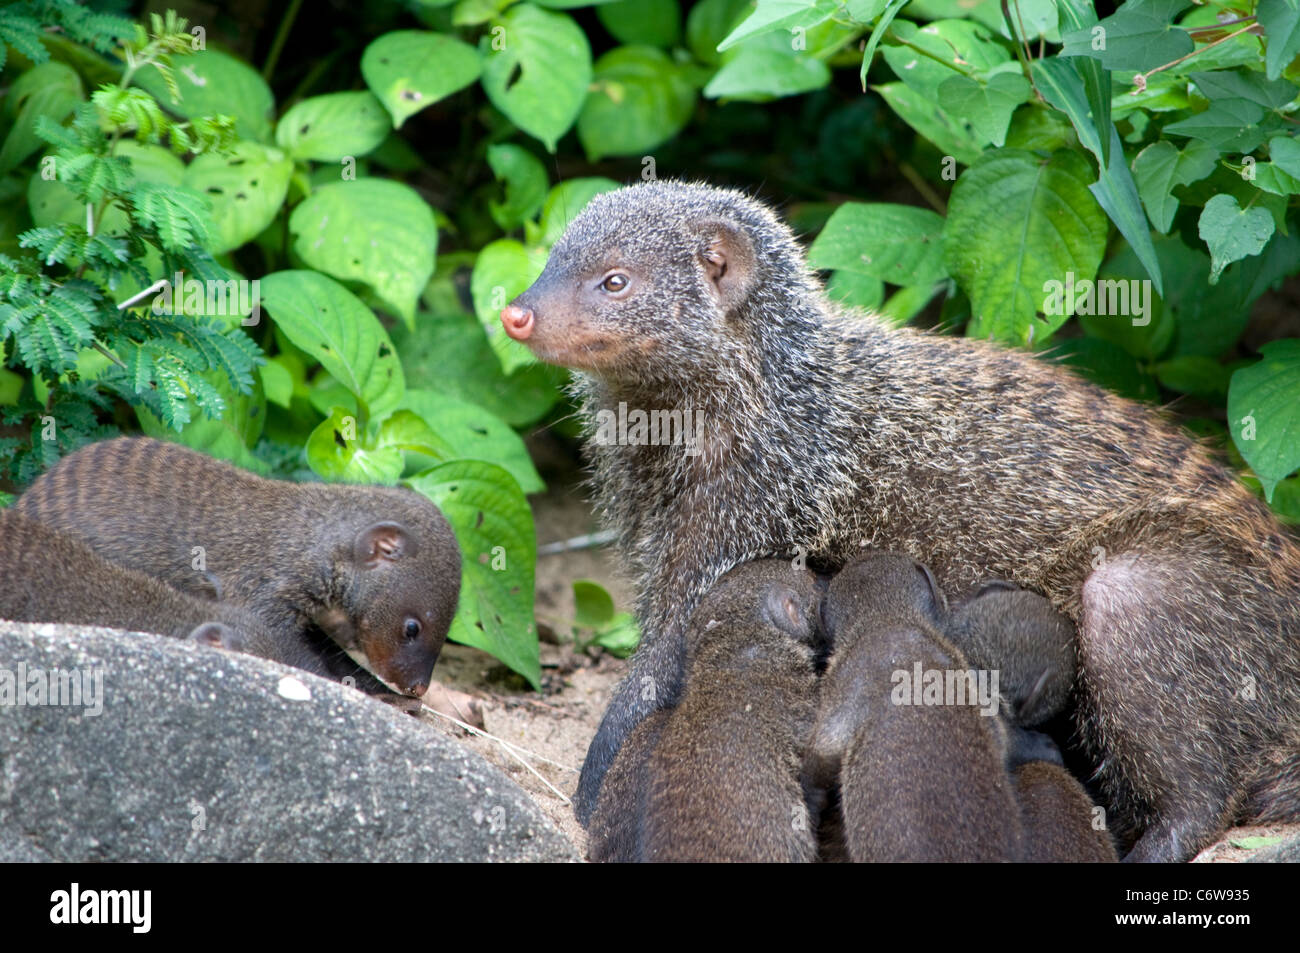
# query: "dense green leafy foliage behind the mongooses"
392,174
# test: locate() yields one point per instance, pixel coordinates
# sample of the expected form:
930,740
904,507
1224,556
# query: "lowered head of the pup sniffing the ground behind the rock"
401,594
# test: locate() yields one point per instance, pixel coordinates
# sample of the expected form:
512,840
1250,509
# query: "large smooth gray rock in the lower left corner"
200,755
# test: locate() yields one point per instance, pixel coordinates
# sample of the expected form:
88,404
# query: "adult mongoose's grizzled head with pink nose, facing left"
647,280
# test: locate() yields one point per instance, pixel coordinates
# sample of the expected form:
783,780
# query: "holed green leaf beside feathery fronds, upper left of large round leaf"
246,189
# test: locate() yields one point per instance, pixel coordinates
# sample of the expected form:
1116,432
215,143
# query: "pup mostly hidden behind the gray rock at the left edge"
54,577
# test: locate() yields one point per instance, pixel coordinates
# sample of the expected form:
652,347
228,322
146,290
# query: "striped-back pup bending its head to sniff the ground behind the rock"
372,566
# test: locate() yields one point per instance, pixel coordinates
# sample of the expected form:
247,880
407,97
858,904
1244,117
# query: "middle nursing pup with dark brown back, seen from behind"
922,777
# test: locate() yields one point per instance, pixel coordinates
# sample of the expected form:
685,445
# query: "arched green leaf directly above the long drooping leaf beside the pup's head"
465,432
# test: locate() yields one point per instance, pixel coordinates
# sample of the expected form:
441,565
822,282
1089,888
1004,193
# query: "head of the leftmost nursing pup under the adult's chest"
755,609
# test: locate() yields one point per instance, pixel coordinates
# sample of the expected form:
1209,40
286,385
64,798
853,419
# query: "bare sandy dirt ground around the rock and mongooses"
556,726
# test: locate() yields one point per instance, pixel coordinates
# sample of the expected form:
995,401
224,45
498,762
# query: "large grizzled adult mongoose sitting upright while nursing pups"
824,432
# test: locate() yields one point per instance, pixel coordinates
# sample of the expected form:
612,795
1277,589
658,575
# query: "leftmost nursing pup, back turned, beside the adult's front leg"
720,777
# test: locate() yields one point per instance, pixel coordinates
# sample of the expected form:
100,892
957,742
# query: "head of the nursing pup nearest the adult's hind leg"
1022,636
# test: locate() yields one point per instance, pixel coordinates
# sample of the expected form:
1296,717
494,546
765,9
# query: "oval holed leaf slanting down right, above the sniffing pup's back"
328,323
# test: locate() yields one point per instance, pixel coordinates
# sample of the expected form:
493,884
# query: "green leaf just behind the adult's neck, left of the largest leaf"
895,244
